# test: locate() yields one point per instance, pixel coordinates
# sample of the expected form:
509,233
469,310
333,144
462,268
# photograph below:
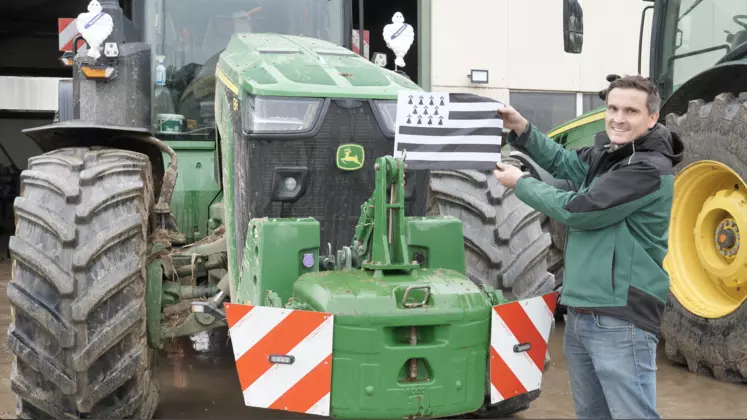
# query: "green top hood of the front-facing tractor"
283,65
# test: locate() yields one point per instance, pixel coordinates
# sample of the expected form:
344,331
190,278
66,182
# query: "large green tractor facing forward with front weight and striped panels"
156,213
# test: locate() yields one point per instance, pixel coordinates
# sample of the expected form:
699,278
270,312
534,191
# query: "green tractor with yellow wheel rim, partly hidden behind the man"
698,59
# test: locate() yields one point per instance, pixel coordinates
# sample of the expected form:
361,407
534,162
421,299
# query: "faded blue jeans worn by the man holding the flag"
612,367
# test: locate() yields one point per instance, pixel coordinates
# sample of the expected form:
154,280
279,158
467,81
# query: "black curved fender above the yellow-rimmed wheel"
729,77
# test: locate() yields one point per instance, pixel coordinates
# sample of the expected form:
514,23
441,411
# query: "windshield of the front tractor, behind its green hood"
187,36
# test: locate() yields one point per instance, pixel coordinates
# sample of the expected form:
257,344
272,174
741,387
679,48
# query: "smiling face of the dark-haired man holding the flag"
627,117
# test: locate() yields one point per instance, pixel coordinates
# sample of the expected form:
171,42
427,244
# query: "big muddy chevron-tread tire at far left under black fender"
77,293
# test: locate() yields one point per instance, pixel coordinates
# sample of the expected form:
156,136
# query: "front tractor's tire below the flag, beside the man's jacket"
504,243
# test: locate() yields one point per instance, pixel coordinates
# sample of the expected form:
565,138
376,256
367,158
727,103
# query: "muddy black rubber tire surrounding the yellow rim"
717,131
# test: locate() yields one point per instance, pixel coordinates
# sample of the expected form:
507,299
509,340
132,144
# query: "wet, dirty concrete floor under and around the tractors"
201,383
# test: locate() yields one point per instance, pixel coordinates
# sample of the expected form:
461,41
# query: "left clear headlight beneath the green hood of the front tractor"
280,115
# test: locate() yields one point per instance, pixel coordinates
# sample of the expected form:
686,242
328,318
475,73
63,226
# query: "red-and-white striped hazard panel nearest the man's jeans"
519,334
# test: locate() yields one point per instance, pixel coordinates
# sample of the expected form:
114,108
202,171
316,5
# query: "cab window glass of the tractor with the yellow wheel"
695,35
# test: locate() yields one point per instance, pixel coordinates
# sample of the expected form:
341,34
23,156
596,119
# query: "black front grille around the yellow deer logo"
332,196
